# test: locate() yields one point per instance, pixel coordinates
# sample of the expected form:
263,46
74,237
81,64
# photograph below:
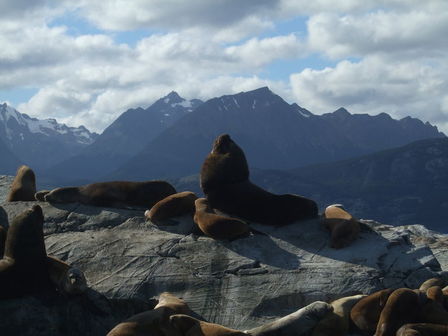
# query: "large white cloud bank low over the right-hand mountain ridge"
375,85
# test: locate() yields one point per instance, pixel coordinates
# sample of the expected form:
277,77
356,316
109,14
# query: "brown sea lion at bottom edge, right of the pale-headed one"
190,326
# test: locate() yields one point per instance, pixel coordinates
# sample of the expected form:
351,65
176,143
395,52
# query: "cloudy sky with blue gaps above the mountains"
85,62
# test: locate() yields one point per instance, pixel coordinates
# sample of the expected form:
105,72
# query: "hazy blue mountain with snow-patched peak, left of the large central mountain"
125,137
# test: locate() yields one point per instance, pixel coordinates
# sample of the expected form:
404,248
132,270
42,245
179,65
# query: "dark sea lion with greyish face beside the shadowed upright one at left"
68,280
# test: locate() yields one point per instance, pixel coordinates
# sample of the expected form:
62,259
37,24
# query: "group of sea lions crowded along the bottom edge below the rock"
388,312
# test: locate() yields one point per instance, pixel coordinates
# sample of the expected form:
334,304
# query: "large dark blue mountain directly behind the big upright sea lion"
273,134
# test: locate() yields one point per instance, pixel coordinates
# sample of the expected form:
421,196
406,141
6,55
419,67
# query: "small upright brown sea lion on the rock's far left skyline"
23,186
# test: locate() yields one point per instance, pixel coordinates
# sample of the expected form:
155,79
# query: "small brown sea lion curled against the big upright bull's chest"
217,226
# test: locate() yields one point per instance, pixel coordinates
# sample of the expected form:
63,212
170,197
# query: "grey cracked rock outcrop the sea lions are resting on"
240,284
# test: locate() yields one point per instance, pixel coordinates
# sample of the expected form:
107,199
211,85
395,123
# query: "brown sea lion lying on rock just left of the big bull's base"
172,206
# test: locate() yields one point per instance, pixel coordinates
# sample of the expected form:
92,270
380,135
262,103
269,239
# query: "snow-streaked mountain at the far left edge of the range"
40,143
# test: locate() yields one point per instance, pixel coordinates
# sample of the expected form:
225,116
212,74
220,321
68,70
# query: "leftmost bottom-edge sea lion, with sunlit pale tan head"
153,322
